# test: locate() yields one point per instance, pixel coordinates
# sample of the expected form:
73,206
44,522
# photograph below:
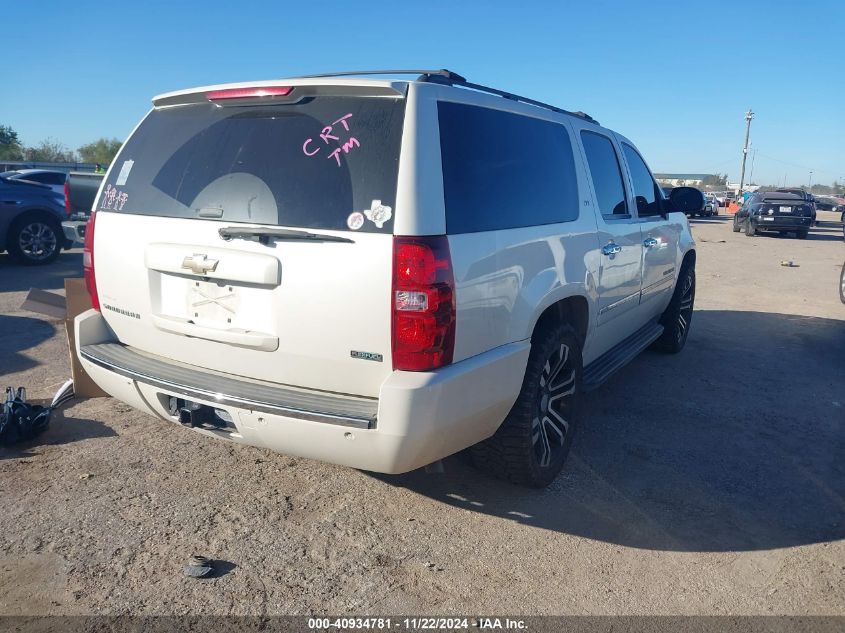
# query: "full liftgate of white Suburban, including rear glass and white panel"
310,313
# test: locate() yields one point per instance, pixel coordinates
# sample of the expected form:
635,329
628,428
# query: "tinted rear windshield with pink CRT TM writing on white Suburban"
323,163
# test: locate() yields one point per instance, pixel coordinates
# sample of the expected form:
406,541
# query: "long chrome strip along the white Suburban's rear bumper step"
195,392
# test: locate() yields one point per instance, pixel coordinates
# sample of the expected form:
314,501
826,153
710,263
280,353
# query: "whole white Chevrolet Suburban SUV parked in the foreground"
380,272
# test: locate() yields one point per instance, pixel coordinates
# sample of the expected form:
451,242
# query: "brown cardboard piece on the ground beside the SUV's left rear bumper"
75,301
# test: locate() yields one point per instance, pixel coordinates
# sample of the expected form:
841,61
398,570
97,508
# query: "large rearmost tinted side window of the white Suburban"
503,170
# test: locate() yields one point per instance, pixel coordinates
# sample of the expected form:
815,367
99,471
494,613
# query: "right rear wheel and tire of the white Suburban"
531,445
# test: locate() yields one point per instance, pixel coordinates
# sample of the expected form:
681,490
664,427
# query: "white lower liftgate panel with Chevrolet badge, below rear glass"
290,313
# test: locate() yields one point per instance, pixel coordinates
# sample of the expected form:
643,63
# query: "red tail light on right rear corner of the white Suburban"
423,303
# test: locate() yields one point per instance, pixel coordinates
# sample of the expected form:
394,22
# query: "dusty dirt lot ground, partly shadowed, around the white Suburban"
711,482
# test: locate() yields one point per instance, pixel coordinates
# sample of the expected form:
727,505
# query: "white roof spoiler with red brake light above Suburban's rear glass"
280,92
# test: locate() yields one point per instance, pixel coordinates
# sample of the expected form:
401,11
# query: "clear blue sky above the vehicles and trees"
674,77
